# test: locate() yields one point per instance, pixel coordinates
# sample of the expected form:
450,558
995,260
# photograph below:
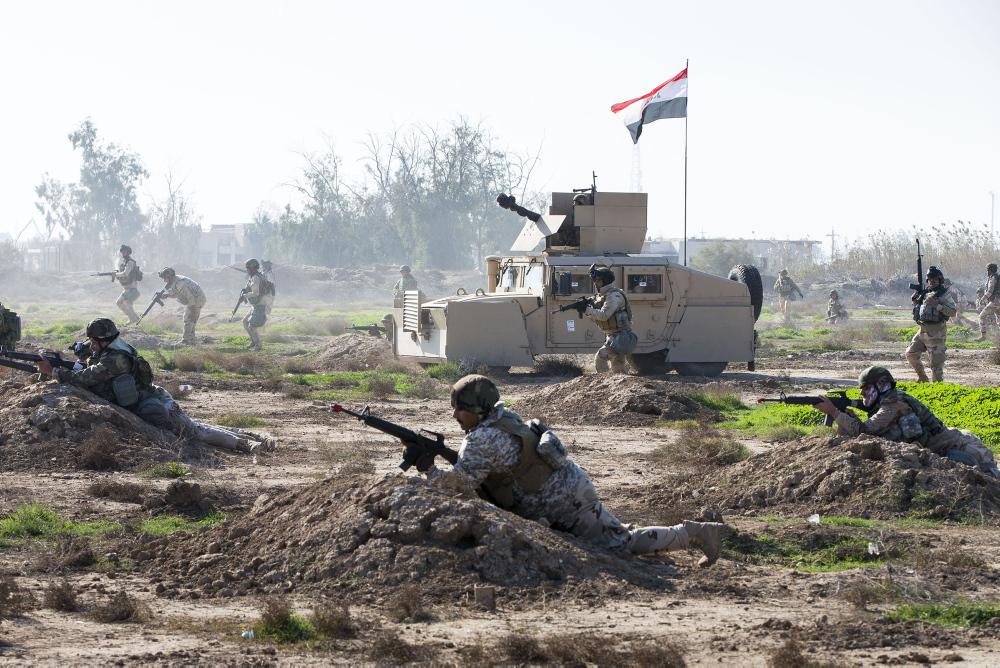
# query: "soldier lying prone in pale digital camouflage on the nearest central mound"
525,470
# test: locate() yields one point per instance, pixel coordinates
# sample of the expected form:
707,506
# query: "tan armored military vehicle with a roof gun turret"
686,320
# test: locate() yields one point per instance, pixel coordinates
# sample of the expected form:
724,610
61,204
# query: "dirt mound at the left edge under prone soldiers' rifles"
46,426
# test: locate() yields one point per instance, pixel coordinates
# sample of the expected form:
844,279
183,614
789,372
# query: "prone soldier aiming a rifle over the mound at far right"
897,416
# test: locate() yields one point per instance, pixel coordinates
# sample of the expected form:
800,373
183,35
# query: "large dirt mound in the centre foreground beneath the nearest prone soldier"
367,539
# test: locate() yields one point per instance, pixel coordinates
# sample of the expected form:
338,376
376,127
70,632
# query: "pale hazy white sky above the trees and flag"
802,115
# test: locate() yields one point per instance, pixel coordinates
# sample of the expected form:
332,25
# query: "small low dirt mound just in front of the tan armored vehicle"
612,400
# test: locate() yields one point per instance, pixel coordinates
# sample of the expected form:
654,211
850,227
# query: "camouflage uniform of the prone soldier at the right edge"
903,418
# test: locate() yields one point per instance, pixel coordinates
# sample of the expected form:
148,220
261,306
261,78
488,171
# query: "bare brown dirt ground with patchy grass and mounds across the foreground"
328,520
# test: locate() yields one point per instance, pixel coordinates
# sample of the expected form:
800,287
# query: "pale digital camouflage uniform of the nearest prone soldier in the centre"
566,501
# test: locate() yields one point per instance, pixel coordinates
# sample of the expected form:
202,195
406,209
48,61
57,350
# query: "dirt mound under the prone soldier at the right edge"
864,476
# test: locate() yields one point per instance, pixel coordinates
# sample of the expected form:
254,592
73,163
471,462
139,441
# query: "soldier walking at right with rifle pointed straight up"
931,309
